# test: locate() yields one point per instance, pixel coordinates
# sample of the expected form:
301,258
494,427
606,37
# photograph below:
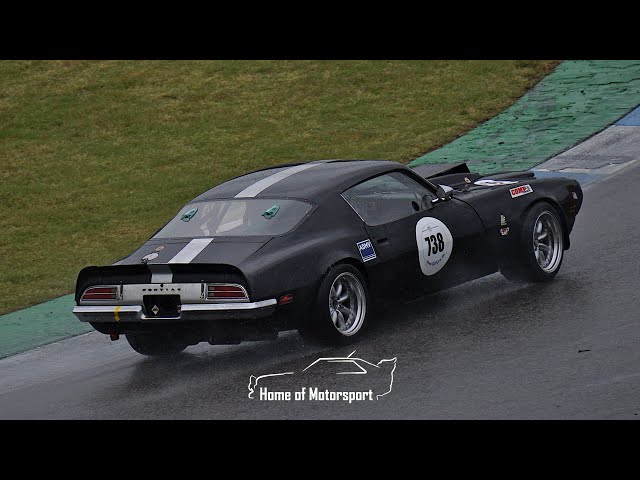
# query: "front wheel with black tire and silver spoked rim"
535,263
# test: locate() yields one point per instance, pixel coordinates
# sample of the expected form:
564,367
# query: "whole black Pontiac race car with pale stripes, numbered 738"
313,246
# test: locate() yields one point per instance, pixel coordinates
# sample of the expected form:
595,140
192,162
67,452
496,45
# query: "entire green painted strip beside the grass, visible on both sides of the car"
577,100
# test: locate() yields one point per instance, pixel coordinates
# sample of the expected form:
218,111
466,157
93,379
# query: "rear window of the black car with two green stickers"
233,218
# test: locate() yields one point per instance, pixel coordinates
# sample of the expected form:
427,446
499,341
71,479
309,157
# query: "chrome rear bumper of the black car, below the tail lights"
188,312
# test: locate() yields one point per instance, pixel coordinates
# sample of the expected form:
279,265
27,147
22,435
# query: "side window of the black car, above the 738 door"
386,198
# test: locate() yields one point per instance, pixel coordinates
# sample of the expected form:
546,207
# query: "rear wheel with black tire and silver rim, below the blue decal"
320,326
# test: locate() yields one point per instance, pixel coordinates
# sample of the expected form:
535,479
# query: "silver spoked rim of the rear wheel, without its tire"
347,304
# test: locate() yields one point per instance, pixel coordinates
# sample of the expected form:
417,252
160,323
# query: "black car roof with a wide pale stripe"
309,181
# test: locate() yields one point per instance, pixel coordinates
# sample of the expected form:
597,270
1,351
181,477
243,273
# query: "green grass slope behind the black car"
96,155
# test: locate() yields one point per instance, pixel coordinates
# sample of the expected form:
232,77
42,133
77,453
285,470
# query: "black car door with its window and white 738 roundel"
422,245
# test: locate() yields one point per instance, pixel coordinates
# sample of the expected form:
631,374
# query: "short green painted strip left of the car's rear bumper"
39,325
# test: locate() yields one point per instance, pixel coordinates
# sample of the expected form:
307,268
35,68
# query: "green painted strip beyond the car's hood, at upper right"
578,99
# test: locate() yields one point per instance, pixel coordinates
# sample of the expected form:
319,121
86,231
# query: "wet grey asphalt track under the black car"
488,349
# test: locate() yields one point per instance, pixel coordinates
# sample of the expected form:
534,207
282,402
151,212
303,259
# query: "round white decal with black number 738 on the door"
435,244
